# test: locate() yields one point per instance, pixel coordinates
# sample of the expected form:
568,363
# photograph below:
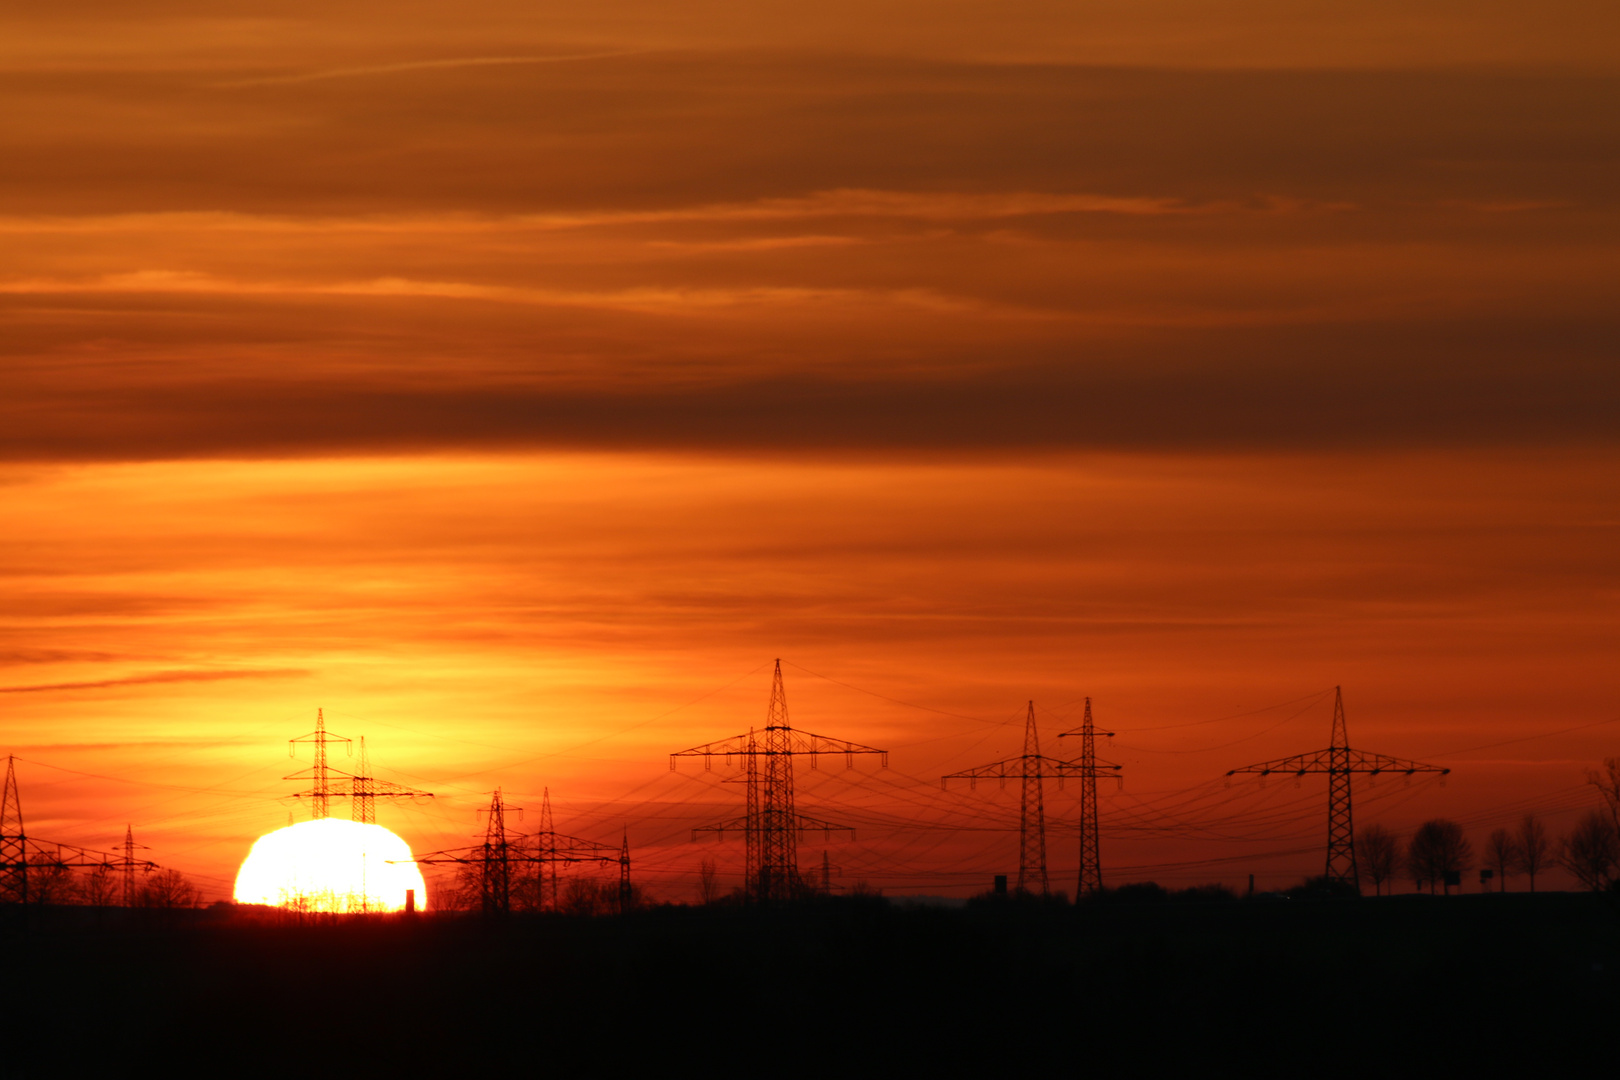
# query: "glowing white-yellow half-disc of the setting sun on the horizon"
331,865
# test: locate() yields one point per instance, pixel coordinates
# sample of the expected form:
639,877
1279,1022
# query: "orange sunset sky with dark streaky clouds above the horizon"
516,381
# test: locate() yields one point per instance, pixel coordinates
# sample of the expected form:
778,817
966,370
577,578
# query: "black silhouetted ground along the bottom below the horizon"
846,987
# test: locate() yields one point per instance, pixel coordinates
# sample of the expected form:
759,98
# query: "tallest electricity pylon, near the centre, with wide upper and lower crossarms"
770,825
